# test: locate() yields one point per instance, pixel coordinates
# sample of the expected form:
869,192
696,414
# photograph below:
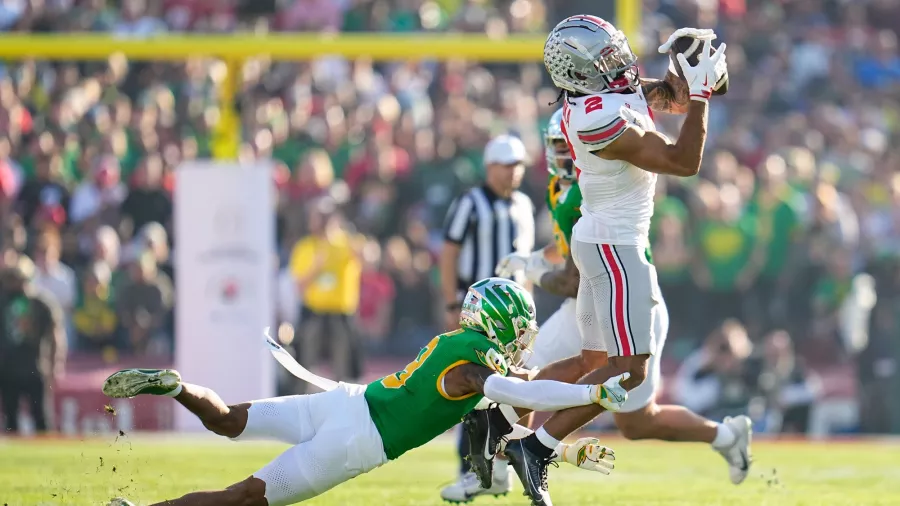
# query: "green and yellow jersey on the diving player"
410,407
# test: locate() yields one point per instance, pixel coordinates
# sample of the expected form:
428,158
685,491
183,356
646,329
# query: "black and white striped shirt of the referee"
487,228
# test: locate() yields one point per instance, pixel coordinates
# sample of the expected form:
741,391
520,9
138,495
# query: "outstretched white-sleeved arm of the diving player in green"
538,395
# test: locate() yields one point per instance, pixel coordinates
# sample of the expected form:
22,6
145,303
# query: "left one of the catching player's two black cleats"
486,429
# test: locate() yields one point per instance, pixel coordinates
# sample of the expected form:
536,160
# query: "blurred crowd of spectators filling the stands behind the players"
780,262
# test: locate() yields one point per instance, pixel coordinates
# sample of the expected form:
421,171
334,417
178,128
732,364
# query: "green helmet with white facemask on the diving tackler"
503,311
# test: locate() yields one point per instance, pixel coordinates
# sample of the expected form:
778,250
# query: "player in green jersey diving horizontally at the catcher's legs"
353,429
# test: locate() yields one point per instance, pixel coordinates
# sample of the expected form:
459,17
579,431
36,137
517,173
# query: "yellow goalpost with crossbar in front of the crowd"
236,48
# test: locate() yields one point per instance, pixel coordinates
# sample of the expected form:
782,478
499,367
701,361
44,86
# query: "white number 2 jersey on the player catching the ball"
617,196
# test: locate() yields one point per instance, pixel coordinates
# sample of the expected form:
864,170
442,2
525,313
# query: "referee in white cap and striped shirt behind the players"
483,225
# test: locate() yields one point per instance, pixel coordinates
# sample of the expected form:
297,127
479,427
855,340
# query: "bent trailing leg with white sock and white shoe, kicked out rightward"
642,418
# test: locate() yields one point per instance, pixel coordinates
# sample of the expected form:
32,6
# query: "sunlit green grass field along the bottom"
147,469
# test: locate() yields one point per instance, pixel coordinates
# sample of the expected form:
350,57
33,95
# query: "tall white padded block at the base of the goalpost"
225,265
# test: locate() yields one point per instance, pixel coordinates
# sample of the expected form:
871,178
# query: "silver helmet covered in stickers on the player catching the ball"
586,54
